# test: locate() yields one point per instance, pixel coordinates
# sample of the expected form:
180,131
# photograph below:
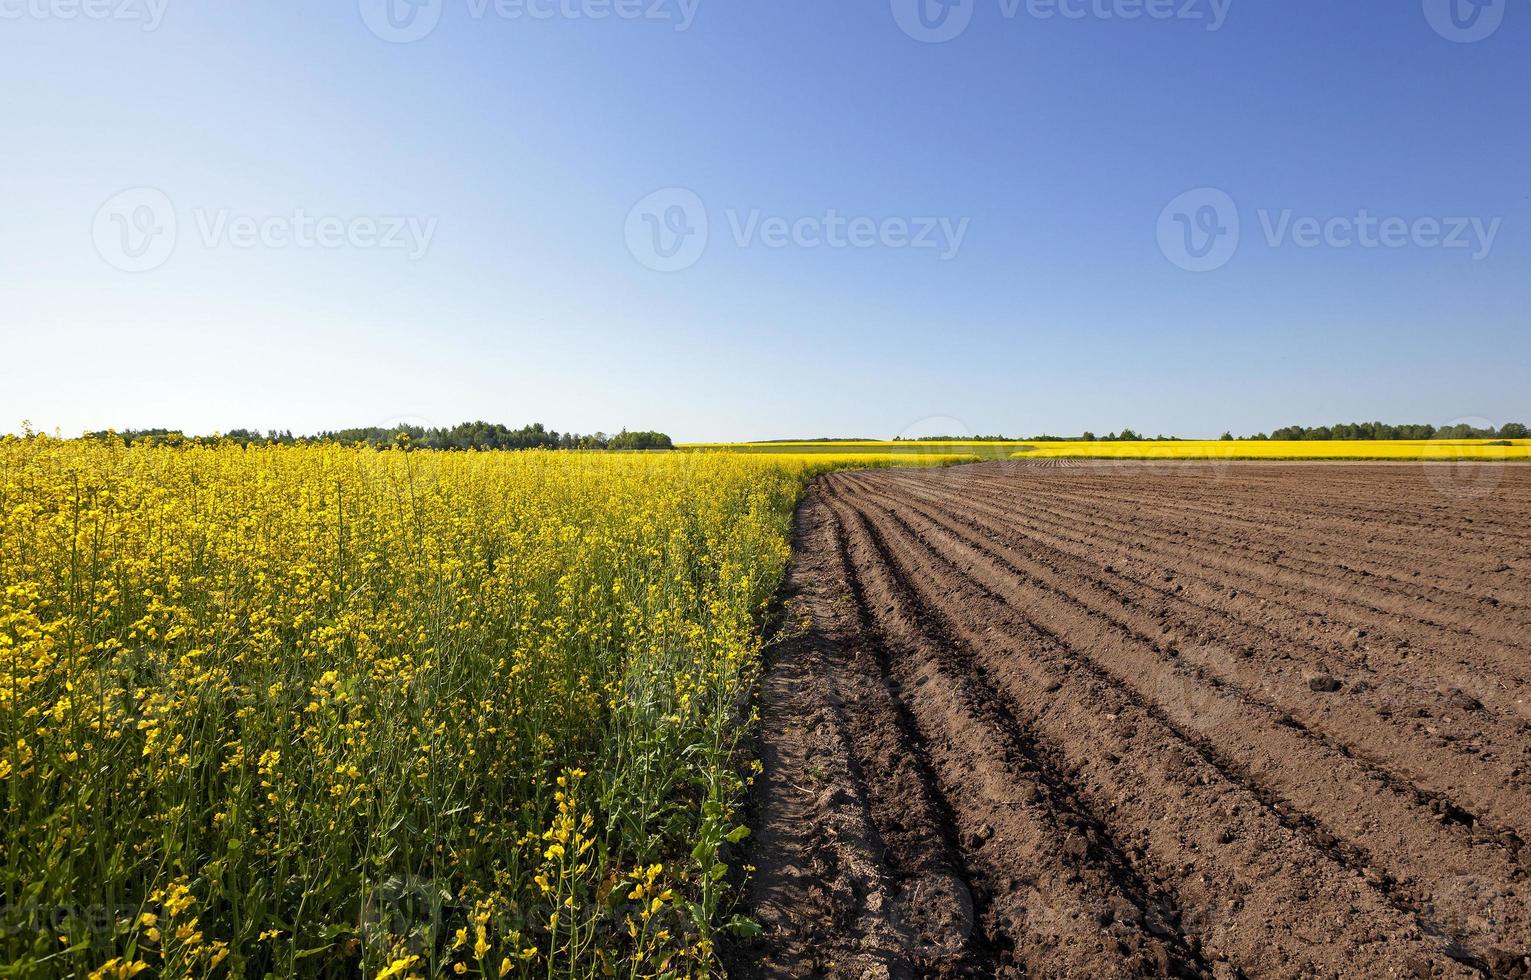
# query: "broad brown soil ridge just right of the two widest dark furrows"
1141,759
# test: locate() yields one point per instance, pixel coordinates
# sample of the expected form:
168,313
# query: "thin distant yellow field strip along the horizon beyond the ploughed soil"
912,454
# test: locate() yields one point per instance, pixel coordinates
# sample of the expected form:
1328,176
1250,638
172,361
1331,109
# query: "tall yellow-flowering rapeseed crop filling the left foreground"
319,711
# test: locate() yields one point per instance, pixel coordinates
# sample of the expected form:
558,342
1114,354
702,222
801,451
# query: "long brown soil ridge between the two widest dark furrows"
1065,883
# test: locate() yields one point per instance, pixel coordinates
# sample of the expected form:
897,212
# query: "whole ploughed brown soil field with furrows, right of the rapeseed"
1105,720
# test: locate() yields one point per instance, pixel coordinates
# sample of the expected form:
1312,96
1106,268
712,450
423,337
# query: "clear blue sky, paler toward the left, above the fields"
308,215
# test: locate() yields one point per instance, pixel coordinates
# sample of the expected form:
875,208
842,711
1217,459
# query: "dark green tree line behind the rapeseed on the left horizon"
466,437
